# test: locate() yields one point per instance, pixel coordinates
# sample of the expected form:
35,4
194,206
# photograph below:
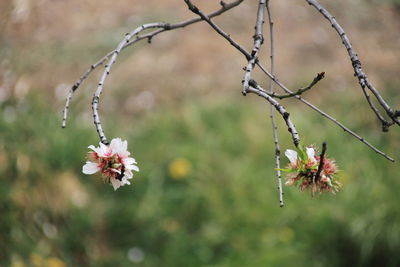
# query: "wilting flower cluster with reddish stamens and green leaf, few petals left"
303,171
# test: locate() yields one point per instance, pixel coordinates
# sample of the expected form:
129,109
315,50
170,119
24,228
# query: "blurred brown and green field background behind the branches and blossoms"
206,194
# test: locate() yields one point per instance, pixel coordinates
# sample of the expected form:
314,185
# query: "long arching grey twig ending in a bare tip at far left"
224,7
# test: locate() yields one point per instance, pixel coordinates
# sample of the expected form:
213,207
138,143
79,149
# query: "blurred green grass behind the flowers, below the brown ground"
222,210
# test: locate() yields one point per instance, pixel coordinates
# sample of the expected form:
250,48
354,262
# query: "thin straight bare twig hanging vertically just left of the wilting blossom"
272,111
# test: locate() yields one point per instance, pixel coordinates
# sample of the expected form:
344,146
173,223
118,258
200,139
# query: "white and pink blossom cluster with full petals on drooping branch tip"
112,161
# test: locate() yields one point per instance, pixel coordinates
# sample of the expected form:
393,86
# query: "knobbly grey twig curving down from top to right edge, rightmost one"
358,72
